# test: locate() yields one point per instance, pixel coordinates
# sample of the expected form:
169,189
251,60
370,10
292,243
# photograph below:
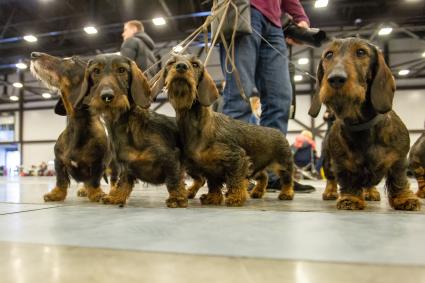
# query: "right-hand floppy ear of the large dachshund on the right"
383,85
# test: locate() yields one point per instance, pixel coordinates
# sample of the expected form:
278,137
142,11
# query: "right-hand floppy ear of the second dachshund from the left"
140,91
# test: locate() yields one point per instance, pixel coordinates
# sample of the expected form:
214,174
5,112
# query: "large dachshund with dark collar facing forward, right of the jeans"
368,140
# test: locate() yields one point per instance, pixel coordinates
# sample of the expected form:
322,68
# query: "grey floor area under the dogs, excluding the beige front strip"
306,229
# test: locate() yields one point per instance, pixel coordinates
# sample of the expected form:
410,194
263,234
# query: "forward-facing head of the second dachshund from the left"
113,84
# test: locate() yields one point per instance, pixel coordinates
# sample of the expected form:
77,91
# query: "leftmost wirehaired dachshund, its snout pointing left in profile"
83,150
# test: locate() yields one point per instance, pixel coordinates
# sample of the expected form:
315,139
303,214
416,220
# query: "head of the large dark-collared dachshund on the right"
352,75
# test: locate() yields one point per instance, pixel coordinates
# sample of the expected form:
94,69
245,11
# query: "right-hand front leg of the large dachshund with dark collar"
399,194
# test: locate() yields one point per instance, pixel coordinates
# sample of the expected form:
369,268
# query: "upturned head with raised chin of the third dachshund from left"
187,81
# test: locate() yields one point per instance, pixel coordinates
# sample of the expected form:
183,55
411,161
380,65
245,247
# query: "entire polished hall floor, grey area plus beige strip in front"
304,240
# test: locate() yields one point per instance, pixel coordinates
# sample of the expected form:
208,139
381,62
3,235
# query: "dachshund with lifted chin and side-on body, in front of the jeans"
219,148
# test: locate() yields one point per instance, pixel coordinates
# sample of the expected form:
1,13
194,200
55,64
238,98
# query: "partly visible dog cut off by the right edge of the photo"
417,164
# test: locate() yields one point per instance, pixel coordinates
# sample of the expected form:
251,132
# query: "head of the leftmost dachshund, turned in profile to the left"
63,74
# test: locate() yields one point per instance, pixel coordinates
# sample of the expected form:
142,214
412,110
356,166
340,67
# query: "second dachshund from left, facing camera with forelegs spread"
146,144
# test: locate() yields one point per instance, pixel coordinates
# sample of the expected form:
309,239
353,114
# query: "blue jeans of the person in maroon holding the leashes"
260,66
